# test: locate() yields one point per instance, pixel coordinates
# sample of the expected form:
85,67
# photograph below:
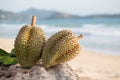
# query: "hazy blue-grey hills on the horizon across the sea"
47,15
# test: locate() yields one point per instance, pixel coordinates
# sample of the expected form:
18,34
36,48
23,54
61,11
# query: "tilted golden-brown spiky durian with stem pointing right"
61,47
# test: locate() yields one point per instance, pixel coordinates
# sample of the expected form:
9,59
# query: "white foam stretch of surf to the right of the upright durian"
98,29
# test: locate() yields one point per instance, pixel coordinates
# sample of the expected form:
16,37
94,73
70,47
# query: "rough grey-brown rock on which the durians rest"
38,72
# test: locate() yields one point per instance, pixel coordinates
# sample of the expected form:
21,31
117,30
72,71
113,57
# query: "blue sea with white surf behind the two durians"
99,34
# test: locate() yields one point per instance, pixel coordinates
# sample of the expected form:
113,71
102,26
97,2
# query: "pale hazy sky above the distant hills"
79,7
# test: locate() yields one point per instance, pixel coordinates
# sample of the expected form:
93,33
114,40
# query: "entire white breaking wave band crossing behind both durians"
87,29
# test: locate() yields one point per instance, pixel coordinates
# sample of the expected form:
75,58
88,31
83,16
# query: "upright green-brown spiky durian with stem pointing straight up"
29,44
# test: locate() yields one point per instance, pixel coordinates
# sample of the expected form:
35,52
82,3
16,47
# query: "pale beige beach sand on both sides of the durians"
90,65
